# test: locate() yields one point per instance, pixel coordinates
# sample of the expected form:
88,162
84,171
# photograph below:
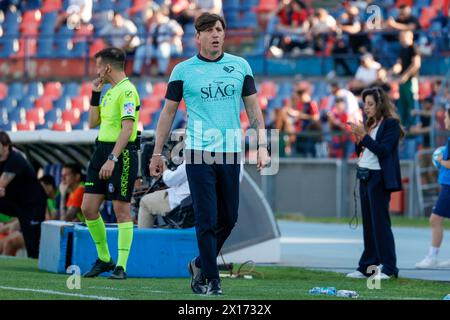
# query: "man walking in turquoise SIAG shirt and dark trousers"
212,83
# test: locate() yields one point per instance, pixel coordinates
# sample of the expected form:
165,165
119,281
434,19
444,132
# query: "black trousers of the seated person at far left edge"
30,218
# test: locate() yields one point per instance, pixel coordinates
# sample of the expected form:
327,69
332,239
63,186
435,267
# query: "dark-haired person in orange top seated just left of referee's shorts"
72,191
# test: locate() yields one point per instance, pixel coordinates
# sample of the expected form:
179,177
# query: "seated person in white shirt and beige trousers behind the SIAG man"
163,201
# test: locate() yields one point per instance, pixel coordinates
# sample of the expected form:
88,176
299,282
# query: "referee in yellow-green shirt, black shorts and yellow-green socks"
113,167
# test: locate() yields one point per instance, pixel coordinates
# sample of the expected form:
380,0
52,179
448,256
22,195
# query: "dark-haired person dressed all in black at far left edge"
21,194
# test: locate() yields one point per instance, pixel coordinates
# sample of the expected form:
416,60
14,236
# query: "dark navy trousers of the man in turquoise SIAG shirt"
215,196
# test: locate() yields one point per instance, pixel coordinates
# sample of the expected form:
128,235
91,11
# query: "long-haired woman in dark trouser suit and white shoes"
379,174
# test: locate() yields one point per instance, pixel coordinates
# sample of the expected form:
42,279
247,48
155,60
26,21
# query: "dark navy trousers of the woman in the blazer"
379,245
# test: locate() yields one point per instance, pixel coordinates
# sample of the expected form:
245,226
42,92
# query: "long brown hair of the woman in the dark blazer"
384,108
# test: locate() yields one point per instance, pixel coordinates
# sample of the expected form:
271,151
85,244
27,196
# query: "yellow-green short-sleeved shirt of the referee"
119,103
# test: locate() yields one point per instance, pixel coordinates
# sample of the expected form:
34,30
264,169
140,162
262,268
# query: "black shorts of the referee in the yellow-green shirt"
120,185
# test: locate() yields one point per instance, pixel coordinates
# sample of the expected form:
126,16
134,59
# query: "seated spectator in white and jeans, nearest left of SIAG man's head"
164,42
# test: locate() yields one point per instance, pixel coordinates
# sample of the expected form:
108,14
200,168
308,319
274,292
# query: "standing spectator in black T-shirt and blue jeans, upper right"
407,68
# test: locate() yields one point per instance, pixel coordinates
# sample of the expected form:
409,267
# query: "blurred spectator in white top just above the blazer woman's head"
366,75
